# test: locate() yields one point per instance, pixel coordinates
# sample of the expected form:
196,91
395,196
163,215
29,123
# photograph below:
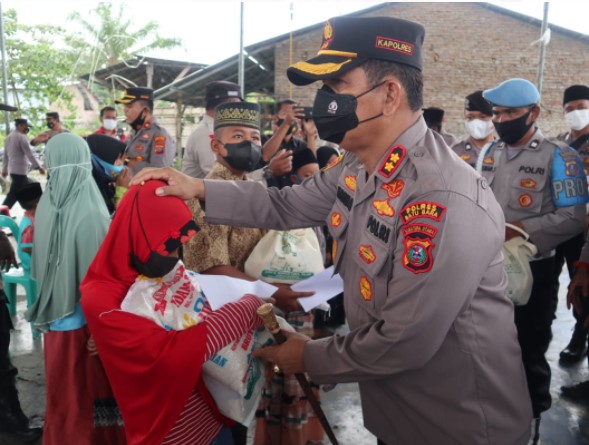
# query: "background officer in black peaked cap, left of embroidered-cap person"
150,144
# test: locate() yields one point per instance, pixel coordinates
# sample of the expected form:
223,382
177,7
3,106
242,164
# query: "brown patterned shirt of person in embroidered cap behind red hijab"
219,245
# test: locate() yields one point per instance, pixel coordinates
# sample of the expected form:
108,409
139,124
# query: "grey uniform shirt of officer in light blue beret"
523,188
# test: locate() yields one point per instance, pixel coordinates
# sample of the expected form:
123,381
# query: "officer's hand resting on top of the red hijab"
179,184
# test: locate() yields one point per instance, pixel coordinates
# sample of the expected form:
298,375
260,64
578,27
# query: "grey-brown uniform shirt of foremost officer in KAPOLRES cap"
432,343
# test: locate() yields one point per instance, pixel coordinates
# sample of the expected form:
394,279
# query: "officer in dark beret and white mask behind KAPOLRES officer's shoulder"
477,117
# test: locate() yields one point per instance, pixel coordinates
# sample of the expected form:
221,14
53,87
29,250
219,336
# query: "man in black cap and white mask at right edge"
576,113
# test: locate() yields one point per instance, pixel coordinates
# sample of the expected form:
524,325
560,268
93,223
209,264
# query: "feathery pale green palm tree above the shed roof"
106,37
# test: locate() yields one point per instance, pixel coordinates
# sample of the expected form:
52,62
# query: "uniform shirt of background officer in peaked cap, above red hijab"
151,146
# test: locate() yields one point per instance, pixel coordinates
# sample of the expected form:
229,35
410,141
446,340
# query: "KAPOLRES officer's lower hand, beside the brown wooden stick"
289,356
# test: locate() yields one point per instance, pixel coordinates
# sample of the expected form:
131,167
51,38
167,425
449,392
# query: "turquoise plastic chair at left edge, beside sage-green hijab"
18,275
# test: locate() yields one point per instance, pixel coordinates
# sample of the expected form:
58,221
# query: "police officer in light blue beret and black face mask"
542,189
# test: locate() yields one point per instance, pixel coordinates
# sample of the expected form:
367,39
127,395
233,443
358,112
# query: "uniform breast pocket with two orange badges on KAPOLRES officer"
374,261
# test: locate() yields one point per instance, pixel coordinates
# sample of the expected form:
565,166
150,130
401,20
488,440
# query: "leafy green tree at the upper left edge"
37,69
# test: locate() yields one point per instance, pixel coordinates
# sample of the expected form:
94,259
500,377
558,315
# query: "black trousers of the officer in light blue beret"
534,332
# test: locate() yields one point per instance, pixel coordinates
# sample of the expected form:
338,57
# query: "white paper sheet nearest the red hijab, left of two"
221,289
